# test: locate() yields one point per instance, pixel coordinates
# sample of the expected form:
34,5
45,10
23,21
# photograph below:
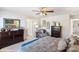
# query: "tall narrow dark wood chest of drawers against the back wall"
56,31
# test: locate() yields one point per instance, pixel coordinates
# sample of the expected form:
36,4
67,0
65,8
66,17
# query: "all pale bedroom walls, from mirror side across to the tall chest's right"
28,23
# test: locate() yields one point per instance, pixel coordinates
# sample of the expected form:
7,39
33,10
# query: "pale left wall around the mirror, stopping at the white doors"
8,14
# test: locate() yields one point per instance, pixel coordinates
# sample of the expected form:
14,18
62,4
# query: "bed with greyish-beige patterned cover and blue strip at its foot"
45,44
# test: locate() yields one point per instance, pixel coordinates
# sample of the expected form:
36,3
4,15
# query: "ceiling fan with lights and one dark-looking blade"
43,11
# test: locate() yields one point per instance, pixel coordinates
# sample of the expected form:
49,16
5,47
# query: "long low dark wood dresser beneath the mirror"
11,37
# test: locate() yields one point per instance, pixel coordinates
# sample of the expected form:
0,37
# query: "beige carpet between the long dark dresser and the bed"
11,48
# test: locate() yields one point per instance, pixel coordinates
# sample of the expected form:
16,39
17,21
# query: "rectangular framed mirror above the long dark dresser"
11,23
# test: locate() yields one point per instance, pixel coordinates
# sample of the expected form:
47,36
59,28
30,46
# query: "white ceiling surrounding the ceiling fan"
27,11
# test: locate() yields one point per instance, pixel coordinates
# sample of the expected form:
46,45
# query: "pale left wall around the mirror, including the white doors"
26,22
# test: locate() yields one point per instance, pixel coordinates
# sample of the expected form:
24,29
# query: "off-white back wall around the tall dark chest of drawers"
64,20
